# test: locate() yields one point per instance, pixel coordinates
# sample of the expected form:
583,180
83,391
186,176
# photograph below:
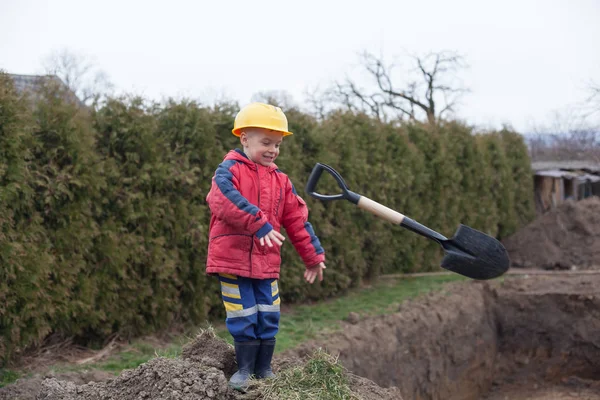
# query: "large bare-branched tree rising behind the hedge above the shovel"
431,81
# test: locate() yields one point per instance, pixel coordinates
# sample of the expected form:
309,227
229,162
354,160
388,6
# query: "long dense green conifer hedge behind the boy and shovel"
104,220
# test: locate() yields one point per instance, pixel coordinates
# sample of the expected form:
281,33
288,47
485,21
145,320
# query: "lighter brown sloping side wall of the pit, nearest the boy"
438,346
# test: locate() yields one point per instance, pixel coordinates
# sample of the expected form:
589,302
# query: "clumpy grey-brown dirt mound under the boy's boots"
202,372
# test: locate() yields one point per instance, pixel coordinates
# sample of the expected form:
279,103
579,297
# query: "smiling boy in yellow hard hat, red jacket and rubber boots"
250,200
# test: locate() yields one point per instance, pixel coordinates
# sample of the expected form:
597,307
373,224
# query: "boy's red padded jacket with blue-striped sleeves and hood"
247,200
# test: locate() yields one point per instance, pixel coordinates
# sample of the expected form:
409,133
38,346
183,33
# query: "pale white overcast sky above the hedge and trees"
527,59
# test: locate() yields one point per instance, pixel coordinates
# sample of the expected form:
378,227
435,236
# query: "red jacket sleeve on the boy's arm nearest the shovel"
299,230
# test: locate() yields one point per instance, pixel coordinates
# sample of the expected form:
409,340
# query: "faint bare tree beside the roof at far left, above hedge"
79,73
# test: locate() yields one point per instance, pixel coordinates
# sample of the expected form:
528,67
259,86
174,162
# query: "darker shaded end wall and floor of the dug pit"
549,342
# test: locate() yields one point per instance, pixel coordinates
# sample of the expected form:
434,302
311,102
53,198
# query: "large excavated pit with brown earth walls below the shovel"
528,338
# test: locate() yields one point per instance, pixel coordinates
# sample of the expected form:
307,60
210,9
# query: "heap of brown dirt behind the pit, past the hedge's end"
565,237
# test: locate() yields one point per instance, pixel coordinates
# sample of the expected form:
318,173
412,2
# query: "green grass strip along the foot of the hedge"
303,323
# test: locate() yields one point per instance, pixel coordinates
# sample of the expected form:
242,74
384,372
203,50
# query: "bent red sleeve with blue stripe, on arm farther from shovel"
227,203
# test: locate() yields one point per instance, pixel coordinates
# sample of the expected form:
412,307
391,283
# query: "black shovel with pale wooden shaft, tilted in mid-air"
470,252
